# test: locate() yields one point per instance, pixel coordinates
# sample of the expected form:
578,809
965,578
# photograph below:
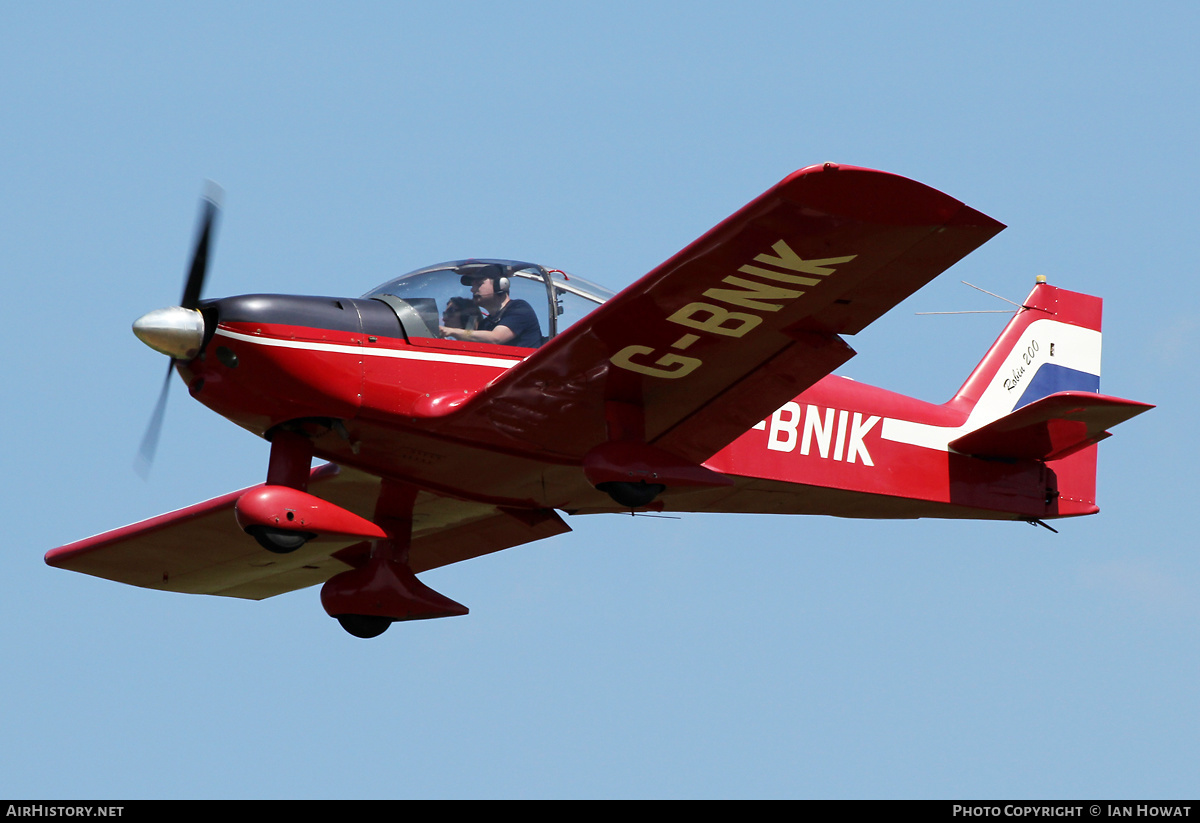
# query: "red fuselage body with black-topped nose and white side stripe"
376,400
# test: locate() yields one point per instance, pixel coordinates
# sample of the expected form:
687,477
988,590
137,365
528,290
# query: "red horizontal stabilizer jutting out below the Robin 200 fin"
1052,428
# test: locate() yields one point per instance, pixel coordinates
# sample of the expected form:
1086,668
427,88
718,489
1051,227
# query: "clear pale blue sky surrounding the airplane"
707,657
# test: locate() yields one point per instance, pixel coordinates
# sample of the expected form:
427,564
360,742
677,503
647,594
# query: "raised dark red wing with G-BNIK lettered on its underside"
740,322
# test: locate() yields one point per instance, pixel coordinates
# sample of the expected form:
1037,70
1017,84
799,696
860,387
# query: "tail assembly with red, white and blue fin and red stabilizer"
1036,397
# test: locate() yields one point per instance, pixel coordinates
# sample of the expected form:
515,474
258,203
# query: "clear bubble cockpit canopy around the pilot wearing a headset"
437,301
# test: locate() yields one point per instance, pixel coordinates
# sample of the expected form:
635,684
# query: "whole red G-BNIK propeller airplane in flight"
704,387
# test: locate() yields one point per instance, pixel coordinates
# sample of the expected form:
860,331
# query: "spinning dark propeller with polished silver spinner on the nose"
178,332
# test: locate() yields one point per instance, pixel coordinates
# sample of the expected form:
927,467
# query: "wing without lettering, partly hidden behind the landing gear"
201,550
